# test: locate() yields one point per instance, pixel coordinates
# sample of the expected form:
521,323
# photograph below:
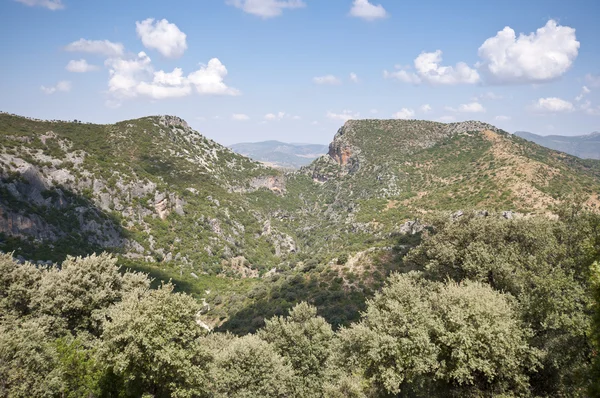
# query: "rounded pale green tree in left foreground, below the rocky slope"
151,343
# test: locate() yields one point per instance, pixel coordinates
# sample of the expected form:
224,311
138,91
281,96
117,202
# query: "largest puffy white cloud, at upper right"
535,58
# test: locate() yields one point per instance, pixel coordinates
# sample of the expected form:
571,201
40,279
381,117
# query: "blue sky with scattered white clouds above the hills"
296,70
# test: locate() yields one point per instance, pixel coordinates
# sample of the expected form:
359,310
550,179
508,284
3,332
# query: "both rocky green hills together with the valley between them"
254,240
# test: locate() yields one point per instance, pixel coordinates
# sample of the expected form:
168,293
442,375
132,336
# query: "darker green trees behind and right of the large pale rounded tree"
544,264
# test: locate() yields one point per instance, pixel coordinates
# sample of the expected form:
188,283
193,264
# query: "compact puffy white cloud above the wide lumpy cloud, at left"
162,36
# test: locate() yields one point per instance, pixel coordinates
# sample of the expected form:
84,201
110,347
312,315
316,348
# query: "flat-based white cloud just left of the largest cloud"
429,70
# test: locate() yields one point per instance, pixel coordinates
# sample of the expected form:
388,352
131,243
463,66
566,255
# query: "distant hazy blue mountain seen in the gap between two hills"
281,154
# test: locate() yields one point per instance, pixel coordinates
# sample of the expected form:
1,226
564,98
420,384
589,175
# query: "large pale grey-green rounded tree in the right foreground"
421,338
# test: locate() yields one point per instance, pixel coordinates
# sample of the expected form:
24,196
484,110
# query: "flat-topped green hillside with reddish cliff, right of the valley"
379,174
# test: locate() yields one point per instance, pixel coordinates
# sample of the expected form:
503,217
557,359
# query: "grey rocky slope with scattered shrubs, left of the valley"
152,189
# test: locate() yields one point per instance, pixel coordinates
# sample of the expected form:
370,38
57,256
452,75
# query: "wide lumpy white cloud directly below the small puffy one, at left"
133,77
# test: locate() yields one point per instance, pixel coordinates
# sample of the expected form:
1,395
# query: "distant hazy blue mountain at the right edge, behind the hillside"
583,146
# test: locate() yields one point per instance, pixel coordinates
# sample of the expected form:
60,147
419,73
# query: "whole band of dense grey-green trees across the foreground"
484,306
